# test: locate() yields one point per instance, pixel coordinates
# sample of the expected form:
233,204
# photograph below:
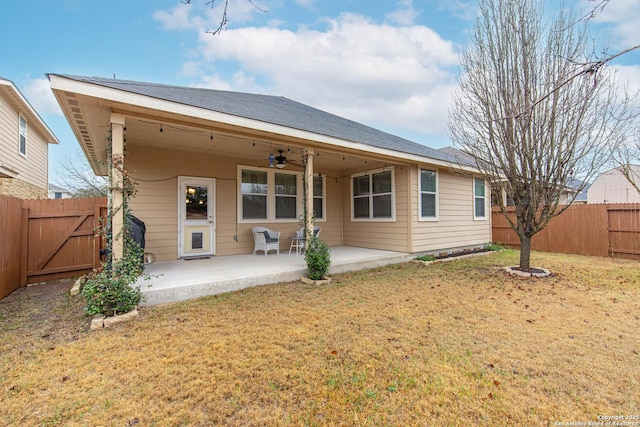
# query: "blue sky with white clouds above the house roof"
389,64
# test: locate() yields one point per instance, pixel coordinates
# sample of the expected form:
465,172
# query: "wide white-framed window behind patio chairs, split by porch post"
271,195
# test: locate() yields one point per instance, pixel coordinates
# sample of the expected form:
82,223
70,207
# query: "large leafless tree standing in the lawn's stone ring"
530,128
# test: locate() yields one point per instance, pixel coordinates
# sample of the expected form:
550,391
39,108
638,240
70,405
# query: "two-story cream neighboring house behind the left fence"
24,146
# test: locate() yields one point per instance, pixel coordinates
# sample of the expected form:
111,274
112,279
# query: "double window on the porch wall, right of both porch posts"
372,195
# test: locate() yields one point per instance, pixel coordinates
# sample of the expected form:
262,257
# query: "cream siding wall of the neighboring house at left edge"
33,167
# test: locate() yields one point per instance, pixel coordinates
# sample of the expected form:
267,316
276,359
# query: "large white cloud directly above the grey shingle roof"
390,77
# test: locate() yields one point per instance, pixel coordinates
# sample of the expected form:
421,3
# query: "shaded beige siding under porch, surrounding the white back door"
156,202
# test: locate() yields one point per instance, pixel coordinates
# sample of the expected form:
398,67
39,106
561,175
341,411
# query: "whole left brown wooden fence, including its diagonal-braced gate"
47,239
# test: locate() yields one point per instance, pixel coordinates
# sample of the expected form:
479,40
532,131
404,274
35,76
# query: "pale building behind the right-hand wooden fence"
613,187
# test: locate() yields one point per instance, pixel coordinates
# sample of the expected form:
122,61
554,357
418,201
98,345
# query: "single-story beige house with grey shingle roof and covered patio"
210,165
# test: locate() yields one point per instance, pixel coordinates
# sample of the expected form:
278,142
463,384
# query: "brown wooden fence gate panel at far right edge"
624,231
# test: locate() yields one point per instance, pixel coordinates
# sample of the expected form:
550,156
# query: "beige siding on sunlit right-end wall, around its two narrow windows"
455,226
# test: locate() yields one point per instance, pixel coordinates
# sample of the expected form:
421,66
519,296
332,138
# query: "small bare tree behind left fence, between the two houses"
75,174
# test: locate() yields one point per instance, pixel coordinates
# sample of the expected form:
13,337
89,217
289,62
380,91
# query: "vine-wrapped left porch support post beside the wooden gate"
117,159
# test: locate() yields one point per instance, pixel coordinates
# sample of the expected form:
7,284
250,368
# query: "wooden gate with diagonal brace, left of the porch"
59,238
